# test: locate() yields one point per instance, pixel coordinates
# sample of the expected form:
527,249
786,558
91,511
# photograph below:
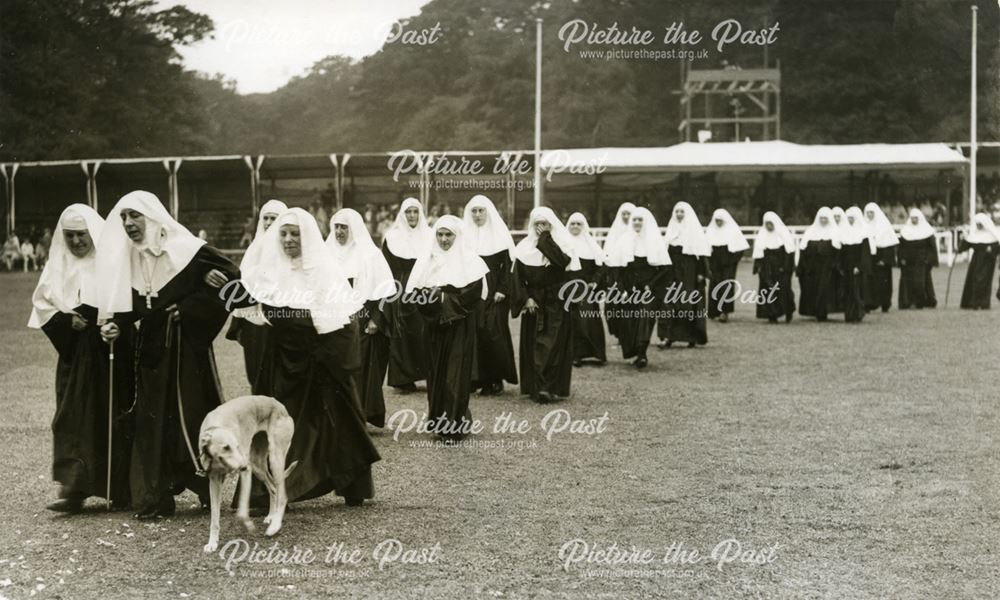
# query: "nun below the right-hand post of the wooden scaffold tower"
774,263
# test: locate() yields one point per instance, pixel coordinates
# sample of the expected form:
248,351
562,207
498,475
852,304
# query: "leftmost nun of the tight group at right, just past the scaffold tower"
819,263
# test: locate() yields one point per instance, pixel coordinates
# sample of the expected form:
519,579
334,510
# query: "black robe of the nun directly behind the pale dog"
316,377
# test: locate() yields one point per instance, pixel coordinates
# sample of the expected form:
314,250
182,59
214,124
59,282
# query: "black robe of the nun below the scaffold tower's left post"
686,310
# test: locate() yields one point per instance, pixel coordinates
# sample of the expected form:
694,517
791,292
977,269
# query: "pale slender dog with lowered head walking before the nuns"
247,434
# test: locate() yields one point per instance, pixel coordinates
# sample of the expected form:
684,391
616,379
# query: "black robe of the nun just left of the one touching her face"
494,344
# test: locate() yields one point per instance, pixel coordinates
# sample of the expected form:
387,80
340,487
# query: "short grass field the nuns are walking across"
867,453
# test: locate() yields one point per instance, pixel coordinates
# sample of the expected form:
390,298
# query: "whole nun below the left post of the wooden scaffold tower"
686,300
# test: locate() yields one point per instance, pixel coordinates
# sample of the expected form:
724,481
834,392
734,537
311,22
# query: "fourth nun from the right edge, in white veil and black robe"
857,247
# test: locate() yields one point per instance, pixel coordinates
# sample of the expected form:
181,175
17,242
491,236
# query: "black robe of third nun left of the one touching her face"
405,327
